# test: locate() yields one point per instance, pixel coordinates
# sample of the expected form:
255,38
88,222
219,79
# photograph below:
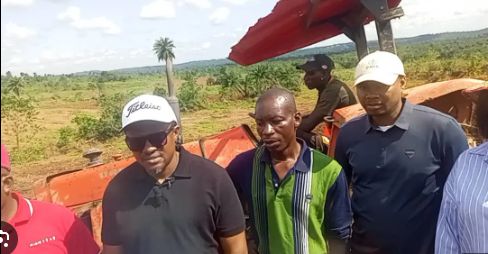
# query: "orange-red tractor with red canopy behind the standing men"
292,24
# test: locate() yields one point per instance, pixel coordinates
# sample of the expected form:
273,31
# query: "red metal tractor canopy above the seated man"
285,28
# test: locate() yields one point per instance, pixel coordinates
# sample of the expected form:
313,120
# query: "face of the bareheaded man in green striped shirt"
276,123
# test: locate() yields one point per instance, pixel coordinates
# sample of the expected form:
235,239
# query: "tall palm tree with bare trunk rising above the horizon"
163,48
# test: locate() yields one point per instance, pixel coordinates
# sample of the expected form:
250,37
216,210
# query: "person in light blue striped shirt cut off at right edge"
463,219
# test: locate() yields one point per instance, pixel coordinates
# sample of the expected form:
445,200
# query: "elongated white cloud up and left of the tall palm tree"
73,15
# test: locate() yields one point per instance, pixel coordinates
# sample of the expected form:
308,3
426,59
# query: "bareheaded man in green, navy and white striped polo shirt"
296,196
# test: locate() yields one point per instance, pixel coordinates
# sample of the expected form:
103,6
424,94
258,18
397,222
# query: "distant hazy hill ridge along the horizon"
333,49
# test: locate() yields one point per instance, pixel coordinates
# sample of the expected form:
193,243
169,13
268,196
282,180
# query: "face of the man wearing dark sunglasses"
153,144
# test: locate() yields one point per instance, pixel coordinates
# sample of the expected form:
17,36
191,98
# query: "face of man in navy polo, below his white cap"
379,99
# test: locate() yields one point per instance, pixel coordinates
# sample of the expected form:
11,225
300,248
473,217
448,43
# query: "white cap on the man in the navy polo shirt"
380,66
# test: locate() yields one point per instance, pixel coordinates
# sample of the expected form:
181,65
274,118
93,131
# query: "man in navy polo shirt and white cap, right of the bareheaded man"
397,158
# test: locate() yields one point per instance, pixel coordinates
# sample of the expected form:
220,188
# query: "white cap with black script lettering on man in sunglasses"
147,108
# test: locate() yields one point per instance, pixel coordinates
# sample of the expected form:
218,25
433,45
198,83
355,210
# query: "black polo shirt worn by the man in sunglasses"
186,215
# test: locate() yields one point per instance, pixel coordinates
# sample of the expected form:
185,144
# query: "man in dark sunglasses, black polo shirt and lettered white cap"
168,201
